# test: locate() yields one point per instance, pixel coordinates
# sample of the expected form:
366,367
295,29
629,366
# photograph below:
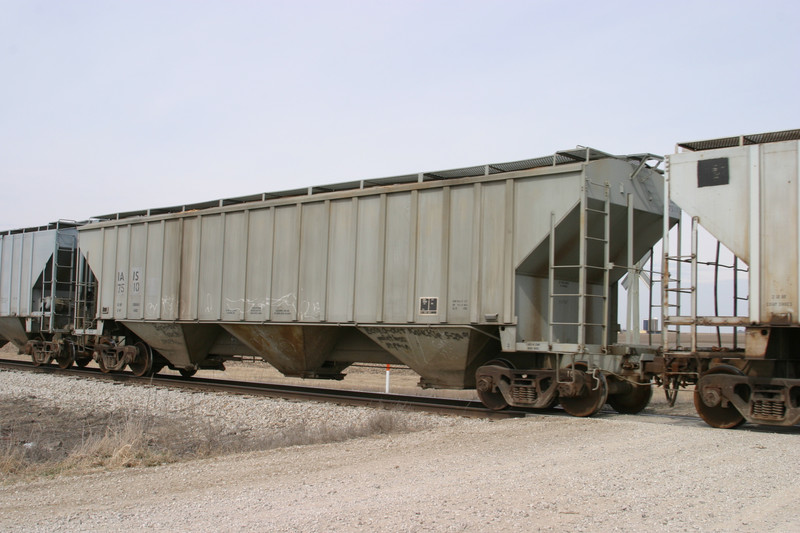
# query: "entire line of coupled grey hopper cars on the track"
503,278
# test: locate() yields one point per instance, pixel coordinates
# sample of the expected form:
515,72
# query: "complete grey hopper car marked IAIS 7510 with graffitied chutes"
438,271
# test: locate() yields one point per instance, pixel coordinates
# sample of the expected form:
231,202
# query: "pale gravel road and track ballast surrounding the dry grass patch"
427,473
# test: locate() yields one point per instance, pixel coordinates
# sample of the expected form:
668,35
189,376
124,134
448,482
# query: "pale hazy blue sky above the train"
110,106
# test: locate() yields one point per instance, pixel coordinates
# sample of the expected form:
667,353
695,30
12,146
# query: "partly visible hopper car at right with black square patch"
745,192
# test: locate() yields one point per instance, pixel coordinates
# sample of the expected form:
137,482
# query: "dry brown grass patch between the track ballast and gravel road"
39,440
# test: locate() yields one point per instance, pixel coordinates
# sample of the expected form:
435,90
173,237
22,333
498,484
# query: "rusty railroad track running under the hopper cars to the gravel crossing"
448,406
